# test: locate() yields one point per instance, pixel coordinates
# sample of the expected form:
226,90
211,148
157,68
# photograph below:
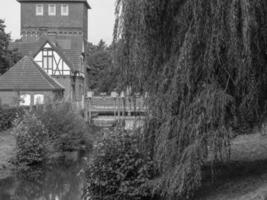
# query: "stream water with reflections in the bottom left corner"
60,182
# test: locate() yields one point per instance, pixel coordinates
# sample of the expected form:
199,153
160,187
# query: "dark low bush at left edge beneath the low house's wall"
8,116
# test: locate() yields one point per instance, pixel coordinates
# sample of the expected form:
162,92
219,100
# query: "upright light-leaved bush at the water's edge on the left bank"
31,141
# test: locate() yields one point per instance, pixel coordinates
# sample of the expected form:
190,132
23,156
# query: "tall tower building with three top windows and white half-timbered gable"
54,34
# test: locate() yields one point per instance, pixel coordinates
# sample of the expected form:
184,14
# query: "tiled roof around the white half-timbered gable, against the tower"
70,55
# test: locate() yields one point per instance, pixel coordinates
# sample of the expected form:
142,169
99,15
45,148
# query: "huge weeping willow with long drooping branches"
204,66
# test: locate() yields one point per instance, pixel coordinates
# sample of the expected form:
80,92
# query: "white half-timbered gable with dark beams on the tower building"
51,61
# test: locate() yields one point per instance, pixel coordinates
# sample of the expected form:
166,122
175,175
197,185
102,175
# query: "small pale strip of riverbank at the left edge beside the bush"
7,153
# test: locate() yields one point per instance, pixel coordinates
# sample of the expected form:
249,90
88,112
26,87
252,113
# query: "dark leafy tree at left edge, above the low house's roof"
7,57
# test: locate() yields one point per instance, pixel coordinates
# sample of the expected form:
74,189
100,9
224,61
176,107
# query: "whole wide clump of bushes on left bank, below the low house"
46,134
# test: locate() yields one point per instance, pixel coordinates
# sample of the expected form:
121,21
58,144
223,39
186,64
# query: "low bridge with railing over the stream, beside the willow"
105,111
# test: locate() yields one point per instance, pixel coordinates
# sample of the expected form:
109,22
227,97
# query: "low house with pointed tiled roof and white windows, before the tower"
26,84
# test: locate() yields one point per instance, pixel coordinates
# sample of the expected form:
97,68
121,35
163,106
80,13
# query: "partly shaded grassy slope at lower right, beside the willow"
244,177
